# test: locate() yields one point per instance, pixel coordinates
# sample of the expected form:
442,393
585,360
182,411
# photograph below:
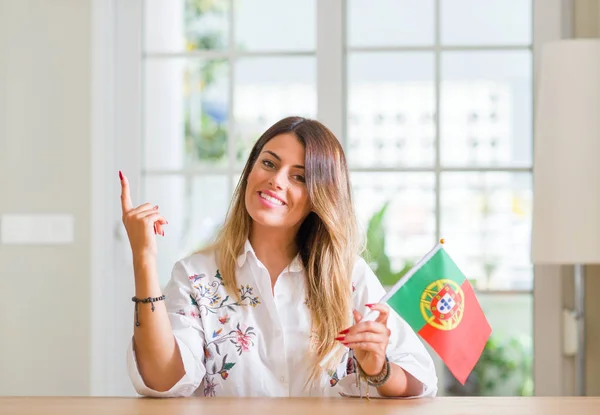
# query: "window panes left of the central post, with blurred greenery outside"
216,75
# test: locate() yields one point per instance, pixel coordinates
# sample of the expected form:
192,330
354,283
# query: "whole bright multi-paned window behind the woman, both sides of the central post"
436,124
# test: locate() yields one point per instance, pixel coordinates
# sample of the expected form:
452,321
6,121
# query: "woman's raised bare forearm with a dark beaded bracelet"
157,354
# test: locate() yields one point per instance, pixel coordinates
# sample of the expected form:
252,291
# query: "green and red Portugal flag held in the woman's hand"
438,302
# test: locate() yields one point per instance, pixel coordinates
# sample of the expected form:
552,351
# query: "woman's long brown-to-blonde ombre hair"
327,240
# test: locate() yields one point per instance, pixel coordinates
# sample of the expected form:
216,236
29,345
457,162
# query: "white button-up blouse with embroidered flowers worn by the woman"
258,346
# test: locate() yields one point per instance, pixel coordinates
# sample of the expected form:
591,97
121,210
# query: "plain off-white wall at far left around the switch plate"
44,168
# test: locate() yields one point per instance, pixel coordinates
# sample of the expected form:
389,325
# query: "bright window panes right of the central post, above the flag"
465,174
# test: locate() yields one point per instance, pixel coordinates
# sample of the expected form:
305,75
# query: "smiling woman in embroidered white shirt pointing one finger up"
274,307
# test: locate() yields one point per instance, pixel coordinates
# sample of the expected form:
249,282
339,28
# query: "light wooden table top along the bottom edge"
298,406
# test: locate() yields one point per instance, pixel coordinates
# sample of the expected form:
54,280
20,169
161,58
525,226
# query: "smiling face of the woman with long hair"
276,194
